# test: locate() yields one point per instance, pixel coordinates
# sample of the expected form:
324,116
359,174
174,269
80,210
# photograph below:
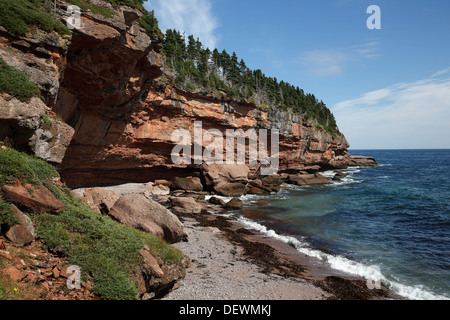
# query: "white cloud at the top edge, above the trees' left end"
191,16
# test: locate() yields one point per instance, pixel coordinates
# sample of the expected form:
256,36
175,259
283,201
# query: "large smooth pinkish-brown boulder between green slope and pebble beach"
139,212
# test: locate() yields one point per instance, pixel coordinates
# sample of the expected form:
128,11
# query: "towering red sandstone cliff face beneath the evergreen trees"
110,86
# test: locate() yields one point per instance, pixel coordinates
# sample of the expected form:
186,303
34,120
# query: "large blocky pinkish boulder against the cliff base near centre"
219,174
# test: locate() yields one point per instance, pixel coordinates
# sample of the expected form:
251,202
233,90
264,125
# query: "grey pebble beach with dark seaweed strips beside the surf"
231,262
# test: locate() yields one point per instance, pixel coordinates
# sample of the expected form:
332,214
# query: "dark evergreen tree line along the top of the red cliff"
197,67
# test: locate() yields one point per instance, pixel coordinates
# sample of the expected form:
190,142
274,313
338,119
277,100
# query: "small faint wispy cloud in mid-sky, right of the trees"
331,62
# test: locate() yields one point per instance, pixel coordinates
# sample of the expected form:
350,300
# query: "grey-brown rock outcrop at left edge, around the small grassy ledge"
41,57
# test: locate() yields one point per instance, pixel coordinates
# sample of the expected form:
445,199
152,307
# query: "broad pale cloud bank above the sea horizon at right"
404,115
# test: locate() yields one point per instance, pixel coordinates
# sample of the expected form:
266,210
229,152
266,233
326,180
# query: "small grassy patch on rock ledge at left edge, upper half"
16,83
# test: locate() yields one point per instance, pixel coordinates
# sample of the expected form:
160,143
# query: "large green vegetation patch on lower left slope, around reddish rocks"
106,251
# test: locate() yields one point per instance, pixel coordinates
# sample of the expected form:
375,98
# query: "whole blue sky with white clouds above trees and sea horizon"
388,88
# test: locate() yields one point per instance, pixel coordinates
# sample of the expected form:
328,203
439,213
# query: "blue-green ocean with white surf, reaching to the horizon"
389,224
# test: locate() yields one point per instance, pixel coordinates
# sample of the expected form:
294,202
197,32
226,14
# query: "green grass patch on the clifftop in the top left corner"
17,16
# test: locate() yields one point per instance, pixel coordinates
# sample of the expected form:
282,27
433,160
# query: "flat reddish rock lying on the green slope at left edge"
33,199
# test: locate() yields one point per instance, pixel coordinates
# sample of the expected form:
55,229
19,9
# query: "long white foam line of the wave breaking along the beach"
371,273
